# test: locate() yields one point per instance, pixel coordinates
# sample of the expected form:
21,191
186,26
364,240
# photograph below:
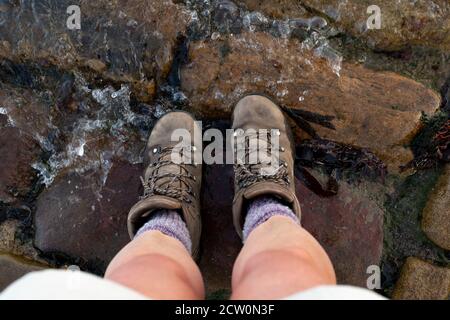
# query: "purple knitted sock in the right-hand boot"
262,209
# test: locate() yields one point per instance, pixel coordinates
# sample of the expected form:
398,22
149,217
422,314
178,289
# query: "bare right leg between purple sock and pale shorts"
278,259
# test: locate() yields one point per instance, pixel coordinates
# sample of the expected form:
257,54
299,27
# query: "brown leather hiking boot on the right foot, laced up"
257,112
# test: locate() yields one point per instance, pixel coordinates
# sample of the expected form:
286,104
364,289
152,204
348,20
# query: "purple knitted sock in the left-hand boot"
171,224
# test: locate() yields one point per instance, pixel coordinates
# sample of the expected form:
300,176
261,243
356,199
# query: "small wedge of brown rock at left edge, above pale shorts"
12,268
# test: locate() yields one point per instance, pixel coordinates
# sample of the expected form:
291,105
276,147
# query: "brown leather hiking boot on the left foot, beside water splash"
168,185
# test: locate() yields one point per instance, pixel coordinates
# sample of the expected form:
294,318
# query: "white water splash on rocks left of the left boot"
98,137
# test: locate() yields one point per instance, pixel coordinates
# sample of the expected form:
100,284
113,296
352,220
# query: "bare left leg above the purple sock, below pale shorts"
159,267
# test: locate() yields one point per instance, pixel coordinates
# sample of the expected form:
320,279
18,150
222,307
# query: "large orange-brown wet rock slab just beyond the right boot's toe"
380,111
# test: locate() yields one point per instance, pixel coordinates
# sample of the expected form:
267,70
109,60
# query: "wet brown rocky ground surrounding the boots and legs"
370,111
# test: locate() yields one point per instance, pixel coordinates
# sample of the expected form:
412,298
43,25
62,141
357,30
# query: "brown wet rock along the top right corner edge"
404,23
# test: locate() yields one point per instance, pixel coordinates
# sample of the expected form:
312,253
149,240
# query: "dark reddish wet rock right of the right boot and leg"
350,228
